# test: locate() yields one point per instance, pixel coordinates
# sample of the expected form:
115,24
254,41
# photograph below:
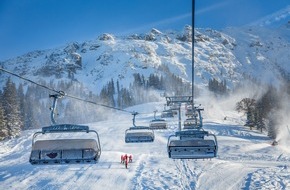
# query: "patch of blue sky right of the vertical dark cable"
218,14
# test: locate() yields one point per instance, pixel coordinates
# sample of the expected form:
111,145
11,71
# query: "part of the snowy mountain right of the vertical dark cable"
247,52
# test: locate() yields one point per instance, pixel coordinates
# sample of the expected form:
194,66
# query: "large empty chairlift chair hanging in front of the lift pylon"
192,144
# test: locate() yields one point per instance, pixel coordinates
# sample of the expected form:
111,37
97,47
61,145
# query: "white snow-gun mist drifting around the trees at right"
256,106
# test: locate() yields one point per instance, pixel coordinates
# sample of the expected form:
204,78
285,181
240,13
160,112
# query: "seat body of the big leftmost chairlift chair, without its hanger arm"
64,151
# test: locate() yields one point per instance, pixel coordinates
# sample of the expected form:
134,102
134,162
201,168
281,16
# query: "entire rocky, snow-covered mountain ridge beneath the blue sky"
232,54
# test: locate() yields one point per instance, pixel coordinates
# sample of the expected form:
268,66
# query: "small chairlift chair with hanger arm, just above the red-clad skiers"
138,134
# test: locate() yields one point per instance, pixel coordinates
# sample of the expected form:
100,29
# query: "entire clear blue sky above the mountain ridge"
27,25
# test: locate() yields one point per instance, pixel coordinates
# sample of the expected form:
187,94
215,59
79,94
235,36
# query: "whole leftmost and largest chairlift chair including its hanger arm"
68,150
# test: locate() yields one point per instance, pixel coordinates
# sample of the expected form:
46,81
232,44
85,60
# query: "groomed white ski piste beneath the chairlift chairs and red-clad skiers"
246,159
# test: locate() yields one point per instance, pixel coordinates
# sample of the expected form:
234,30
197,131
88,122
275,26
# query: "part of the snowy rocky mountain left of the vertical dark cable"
109,57
